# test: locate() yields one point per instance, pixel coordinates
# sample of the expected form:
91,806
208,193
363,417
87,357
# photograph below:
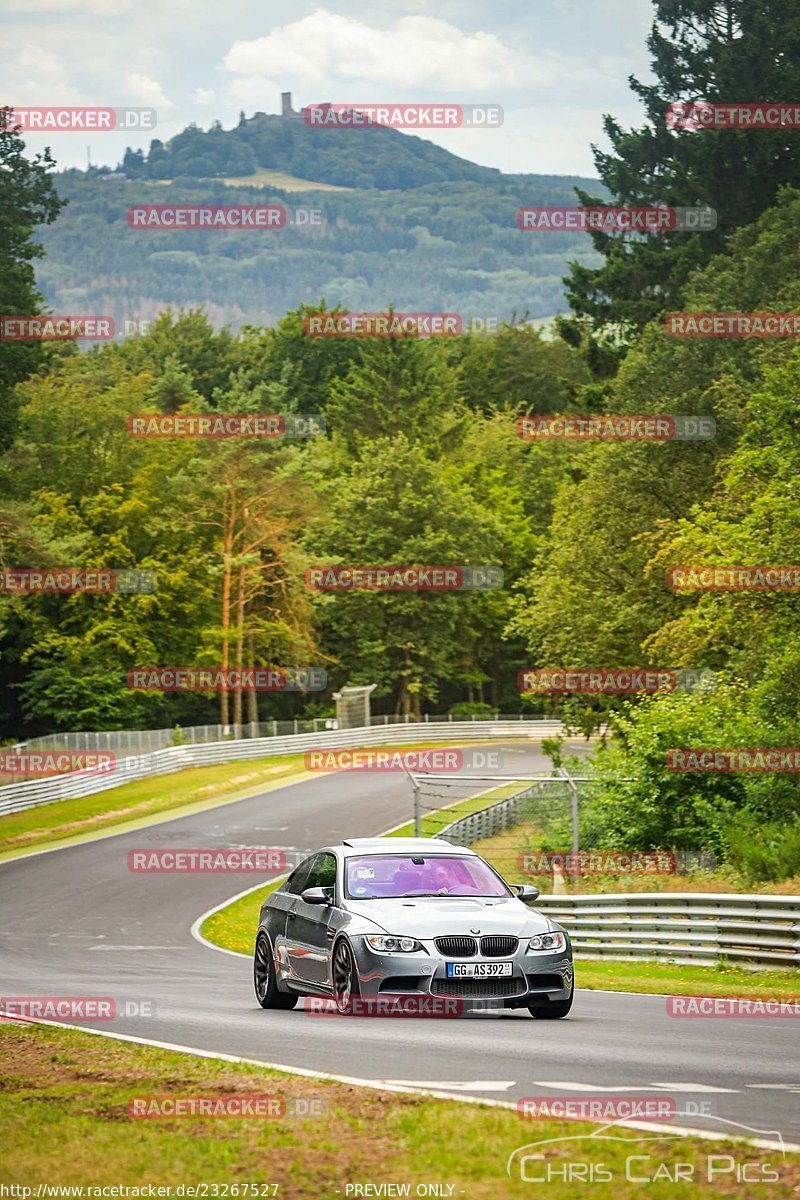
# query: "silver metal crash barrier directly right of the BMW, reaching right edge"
681,927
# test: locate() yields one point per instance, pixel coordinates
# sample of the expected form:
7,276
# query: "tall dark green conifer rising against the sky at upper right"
701,51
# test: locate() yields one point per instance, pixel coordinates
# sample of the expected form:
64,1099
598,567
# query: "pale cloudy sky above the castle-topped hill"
556,67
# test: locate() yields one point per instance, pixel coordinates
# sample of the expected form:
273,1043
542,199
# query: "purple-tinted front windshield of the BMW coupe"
393,877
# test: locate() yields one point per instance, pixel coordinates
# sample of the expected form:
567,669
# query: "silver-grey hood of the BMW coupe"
438,916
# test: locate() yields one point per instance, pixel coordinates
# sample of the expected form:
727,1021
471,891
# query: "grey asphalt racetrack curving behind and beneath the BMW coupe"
77,922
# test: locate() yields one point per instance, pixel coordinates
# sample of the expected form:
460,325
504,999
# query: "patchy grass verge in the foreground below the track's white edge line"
65,1101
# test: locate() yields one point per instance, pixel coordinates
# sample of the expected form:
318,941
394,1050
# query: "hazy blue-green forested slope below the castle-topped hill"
455,244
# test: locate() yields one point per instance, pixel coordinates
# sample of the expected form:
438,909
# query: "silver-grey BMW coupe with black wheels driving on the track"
410,917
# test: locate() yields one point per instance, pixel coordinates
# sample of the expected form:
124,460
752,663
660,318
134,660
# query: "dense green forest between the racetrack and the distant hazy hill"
422,463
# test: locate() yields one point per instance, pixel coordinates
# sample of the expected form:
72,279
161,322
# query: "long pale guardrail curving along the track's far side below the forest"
16,797
